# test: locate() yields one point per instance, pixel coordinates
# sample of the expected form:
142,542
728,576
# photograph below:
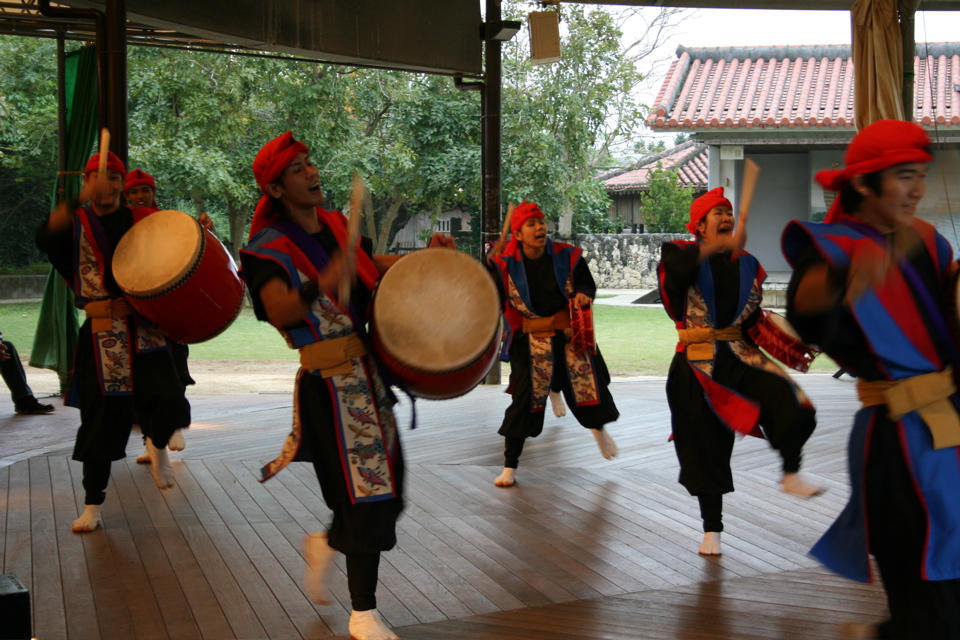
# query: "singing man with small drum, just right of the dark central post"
538,280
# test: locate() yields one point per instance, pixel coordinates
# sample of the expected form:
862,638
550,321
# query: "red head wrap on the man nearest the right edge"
881,145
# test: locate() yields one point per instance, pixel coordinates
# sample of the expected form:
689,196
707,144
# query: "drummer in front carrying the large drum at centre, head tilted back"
342,419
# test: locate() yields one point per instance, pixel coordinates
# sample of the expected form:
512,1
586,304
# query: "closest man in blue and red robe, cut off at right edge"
870,287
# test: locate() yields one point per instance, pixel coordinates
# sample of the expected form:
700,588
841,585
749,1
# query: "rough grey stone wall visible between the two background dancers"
624,260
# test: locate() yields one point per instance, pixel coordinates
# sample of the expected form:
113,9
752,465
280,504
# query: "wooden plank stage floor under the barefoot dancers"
582,548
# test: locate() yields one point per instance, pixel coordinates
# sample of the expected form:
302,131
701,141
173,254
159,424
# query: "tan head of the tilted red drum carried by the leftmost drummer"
157,253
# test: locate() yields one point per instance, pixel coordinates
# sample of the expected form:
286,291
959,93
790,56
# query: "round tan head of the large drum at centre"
436,310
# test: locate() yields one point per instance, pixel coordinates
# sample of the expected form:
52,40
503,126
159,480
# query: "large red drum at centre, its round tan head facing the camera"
435,322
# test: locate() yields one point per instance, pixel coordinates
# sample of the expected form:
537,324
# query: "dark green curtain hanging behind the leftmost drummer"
58,325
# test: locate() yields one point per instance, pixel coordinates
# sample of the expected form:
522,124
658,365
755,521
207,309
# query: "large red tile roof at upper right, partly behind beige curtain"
789,87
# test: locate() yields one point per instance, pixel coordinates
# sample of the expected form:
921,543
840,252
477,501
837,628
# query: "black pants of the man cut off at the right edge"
919,609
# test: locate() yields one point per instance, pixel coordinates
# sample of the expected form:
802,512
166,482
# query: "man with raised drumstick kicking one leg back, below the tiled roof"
720,383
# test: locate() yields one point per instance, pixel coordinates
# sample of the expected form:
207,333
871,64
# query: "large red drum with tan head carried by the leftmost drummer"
179,275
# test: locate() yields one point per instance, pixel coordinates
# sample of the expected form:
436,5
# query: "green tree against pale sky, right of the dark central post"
563,121
